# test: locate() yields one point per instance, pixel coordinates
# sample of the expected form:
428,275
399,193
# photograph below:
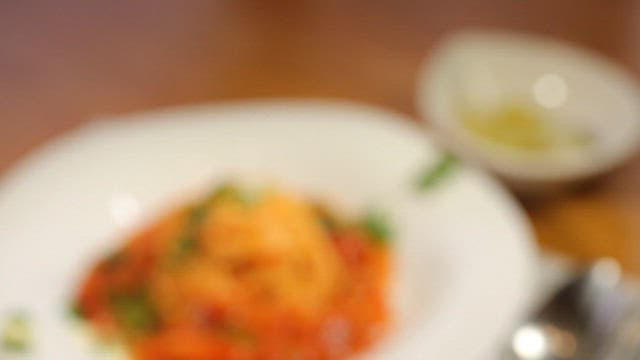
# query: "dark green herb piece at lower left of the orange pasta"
135,312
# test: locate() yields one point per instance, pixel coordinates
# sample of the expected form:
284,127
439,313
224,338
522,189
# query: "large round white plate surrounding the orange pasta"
463,250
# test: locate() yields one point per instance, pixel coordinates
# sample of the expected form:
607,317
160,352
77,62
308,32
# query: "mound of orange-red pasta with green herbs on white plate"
236,278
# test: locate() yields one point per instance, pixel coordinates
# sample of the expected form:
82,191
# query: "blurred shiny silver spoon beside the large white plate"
581,321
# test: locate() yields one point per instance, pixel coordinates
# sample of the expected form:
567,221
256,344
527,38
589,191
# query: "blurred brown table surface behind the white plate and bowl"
65,62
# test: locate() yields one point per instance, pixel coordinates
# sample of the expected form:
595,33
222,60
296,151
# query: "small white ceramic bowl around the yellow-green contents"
575,87
